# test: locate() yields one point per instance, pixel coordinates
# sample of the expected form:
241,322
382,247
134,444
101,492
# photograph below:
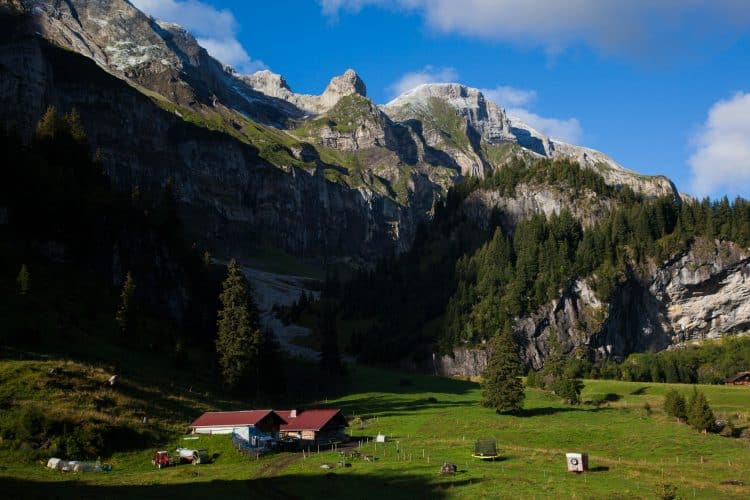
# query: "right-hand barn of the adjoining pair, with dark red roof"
314,425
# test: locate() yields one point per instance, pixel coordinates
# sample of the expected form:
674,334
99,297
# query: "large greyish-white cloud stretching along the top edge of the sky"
643,28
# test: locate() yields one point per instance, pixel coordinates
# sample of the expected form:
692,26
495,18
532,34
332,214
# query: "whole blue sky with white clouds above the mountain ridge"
662,89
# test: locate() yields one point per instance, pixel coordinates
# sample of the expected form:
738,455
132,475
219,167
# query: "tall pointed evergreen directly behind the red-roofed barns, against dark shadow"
239,337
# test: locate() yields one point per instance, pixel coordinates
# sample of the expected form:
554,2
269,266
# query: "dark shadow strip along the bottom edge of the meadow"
329,485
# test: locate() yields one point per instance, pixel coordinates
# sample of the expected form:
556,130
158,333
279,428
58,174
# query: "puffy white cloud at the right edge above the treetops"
721,161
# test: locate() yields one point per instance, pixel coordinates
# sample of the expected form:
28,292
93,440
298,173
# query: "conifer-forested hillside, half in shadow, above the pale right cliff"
462,283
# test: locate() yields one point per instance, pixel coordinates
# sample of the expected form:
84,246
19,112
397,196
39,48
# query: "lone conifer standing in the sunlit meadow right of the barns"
502,387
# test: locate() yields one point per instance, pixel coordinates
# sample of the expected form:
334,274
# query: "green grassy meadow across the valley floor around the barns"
429,421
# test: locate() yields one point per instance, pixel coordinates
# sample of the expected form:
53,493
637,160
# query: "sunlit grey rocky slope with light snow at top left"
159,56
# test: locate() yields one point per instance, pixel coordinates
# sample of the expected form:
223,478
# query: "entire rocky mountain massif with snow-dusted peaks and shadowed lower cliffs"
327,176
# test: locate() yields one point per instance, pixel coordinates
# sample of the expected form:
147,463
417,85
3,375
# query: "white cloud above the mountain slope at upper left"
215,29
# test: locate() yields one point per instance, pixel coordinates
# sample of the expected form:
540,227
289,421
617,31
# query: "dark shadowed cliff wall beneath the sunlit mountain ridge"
233,198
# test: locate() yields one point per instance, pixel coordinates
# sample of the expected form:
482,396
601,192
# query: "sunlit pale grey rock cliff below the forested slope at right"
701,293
